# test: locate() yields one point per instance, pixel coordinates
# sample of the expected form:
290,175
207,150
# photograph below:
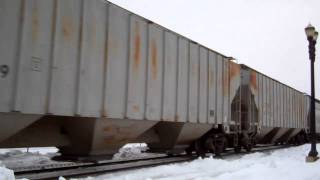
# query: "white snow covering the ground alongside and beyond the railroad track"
284,164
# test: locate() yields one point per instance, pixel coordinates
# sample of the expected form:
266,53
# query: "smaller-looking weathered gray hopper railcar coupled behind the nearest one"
271,111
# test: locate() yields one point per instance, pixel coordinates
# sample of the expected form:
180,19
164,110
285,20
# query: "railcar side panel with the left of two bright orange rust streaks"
137,68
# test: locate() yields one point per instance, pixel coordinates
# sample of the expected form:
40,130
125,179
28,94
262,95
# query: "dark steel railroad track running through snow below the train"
74,169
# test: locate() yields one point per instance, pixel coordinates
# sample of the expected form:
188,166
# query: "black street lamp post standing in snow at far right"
312,35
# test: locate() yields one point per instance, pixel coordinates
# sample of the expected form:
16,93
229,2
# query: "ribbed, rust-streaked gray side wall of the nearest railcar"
93,59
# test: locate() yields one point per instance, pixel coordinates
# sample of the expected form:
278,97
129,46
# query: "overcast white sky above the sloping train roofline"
266,35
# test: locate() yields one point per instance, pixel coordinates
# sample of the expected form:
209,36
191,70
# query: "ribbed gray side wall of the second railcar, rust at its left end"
278,104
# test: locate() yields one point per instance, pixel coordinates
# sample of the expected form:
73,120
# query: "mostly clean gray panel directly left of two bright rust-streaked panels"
117,56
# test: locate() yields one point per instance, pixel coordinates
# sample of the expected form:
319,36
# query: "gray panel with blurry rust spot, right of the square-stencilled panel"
65,62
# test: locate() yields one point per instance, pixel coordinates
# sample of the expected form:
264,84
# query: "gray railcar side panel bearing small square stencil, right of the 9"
33,73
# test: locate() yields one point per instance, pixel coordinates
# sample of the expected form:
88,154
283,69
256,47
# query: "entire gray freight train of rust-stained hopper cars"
88,77
